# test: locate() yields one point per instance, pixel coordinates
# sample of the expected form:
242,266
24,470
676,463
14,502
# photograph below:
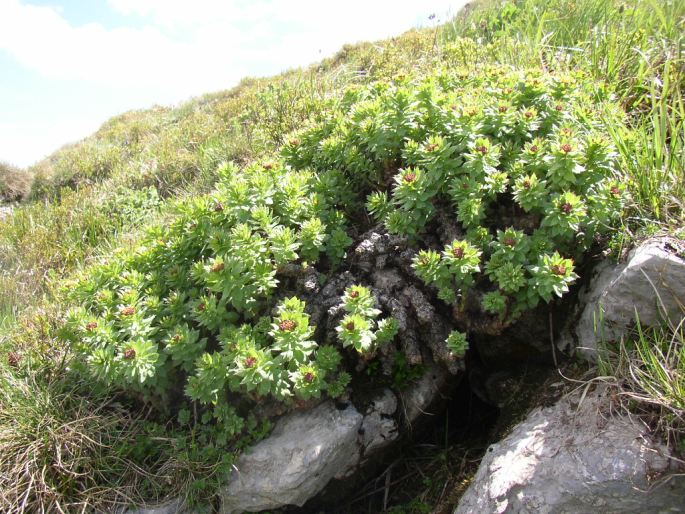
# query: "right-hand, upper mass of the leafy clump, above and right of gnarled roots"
519,161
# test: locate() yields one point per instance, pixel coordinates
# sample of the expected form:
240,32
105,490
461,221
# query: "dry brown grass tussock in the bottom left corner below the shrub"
59,449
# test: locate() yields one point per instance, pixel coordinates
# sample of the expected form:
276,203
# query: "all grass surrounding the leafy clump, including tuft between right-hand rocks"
61,437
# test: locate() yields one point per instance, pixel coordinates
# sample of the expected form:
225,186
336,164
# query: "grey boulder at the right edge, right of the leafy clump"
649,285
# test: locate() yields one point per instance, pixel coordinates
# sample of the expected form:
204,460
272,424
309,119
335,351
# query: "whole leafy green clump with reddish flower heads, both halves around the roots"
516,162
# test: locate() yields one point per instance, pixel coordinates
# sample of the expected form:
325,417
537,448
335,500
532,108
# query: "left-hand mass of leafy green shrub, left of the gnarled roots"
190,306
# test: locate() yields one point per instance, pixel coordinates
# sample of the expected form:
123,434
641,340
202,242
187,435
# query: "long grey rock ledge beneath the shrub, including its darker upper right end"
309,448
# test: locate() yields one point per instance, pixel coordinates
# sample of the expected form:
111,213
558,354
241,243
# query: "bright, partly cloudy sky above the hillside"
66,66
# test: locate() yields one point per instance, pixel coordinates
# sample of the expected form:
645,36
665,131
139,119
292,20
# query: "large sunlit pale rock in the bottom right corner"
575,457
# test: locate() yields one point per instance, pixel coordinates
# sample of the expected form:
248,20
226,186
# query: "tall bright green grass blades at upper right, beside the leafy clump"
637,48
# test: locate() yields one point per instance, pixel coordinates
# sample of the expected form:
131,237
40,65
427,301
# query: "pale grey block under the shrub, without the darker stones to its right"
303,453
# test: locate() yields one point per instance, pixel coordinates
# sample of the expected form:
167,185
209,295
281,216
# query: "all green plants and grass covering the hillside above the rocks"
152,306
